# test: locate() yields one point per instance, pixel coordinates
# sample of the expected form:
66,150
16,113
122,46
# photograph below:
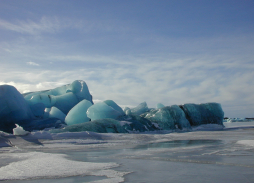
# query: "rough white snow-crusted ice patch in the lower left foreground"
36,165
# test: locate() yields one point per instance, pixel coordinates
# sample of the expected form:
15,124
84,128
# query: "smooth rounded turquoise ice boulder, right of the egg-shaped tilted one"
101,110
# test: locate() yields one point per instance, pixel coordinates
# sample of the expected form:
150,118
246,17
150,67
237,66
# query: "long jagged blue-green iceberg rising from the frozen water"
72,106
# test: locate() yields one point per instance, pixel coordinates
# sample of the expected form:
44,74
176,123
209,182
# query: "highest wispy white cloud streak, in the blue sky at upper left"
55,24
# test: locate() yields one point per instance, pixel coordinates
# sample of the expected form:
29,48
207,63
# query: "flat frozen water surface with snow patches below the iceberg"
208,153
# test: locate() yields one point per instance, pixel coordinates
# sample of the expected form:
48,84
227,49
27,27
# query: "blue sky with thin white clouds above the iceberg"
131,51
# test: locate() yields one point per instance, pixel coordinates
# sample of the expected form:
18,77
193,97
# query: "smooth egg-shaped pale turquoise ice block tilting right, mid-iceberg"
78,113
